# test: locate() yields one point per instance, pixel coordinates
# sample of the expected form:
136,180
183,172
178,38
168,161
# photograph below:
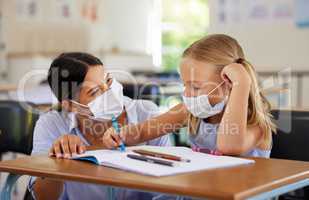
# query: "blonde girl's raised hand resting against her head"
236,74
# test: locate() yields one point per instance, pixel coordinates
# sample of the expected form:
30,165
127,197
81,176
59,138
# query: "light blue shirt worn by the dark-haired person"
54,124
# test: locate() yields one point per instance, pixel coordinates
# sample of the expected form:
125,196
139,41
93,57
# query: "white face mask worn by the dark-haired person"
109,104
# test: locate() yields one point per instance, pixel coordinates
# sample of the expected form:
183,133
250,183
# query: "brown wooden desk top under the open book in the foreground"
230,183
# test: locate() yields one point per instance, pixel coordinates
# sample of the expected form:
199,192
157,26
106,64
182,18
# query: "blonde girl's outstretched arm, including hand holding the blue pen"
155,127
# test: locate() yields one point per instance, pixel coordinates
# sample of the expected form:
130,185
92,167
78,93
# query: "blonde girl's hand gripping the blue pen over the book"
111,139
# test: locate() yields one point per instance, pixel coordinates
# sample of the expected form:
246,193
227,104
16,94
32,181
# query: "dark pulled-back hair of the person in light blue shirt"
68,71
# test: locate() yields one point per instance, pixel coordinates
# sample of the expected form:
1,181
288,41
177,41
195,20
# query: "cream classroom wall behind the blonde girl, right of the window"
271,38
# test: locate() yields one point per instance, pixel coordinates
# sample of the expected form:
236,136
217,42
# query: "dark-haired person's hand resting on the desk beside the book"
67,146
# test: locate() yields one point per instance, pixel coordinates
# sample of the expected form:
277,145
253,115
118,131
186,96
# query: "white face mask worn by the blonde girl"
200,106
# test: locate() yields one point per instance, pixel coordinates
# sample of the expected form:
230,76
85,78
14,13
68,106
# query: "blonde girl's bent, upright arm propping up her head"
234,136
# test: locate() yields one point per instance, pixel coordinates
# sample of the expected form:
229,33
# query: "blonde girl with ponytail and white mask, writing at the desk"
223,106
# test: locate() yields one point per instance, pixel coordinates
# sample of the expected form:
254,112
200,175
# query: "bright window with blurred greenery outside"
183,22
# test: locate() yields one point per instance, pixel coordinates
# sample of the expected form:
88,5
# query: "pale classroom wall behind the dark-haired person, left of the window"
127,37
